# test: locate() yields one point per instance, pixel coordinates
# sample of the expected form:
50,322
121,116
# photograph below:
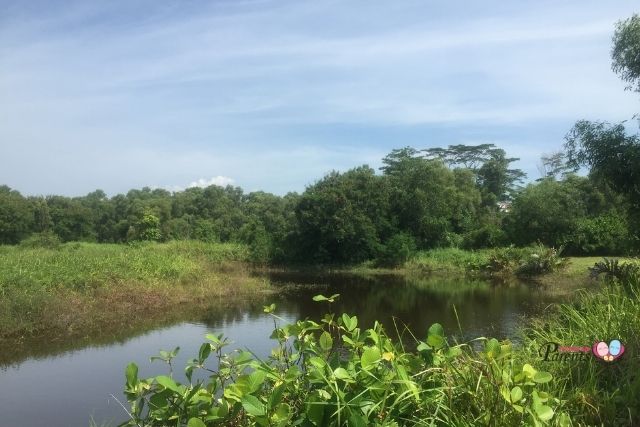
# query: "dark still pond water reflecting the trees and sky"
72,387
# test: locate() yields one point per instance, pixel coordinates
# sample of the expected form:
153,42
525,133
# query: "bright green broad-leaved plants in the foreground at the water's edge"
334,373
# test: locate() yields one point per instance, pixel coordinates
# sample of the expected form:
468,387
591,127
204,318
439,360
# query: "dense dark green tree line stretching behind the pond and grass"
465,196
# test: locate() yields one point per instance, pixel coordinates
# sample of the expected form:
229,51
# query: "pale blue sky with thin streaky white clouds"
271,95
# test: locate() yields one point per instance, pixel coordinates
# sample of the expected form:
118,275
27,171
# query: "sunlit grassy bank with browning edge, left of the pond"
79,287
